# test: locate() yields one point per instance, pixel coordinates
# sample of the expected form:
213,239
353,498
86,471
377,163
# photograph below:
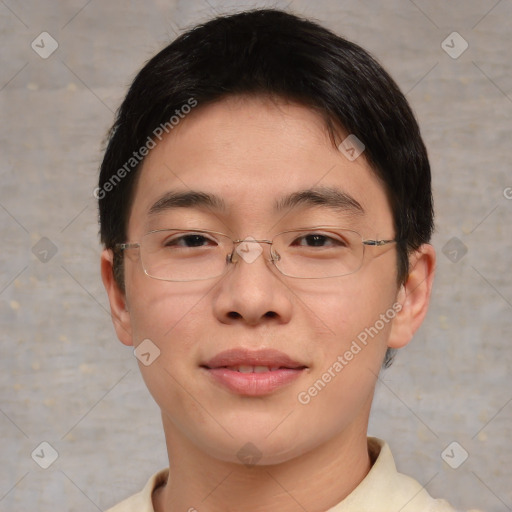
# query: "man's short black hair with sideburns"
272,53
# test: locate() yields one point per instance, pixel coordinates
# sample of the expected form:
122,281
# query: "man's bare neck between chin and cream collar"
314,481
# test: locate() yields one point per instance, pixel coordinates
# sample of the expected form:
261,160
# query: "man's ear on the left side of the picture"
118,307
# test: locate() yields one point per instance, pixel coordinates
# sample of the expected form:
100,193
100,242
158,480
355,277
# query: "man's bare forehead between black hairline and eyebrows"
253,154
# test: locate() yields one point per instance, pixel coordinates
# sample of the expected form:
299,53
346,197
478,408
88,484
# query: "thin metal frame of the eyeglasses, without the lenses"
230,256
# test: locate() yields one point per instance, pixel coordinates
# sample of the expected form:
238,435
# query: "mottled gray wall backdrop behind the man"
65,378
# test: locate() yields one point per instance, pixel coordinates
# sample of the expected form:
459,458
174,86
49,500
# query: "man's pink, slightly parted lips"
220,369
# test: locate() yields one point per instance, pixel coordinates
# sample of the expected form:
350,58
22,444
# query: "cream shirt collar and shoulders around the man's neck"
383,489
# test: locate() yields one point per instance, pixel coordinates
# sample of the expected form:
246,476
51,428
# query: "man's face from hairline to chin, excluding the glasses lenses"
254,154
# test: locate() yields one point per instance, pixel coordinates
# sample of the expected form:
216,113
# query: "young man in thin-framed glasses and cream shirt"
265,207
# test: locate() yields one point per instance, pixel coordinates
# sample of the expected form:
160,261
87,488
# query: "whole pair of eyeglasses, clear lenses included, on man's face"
195,255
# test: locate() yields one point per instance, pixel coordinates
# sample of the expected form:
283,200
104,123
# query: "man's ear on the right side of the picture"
413,296
